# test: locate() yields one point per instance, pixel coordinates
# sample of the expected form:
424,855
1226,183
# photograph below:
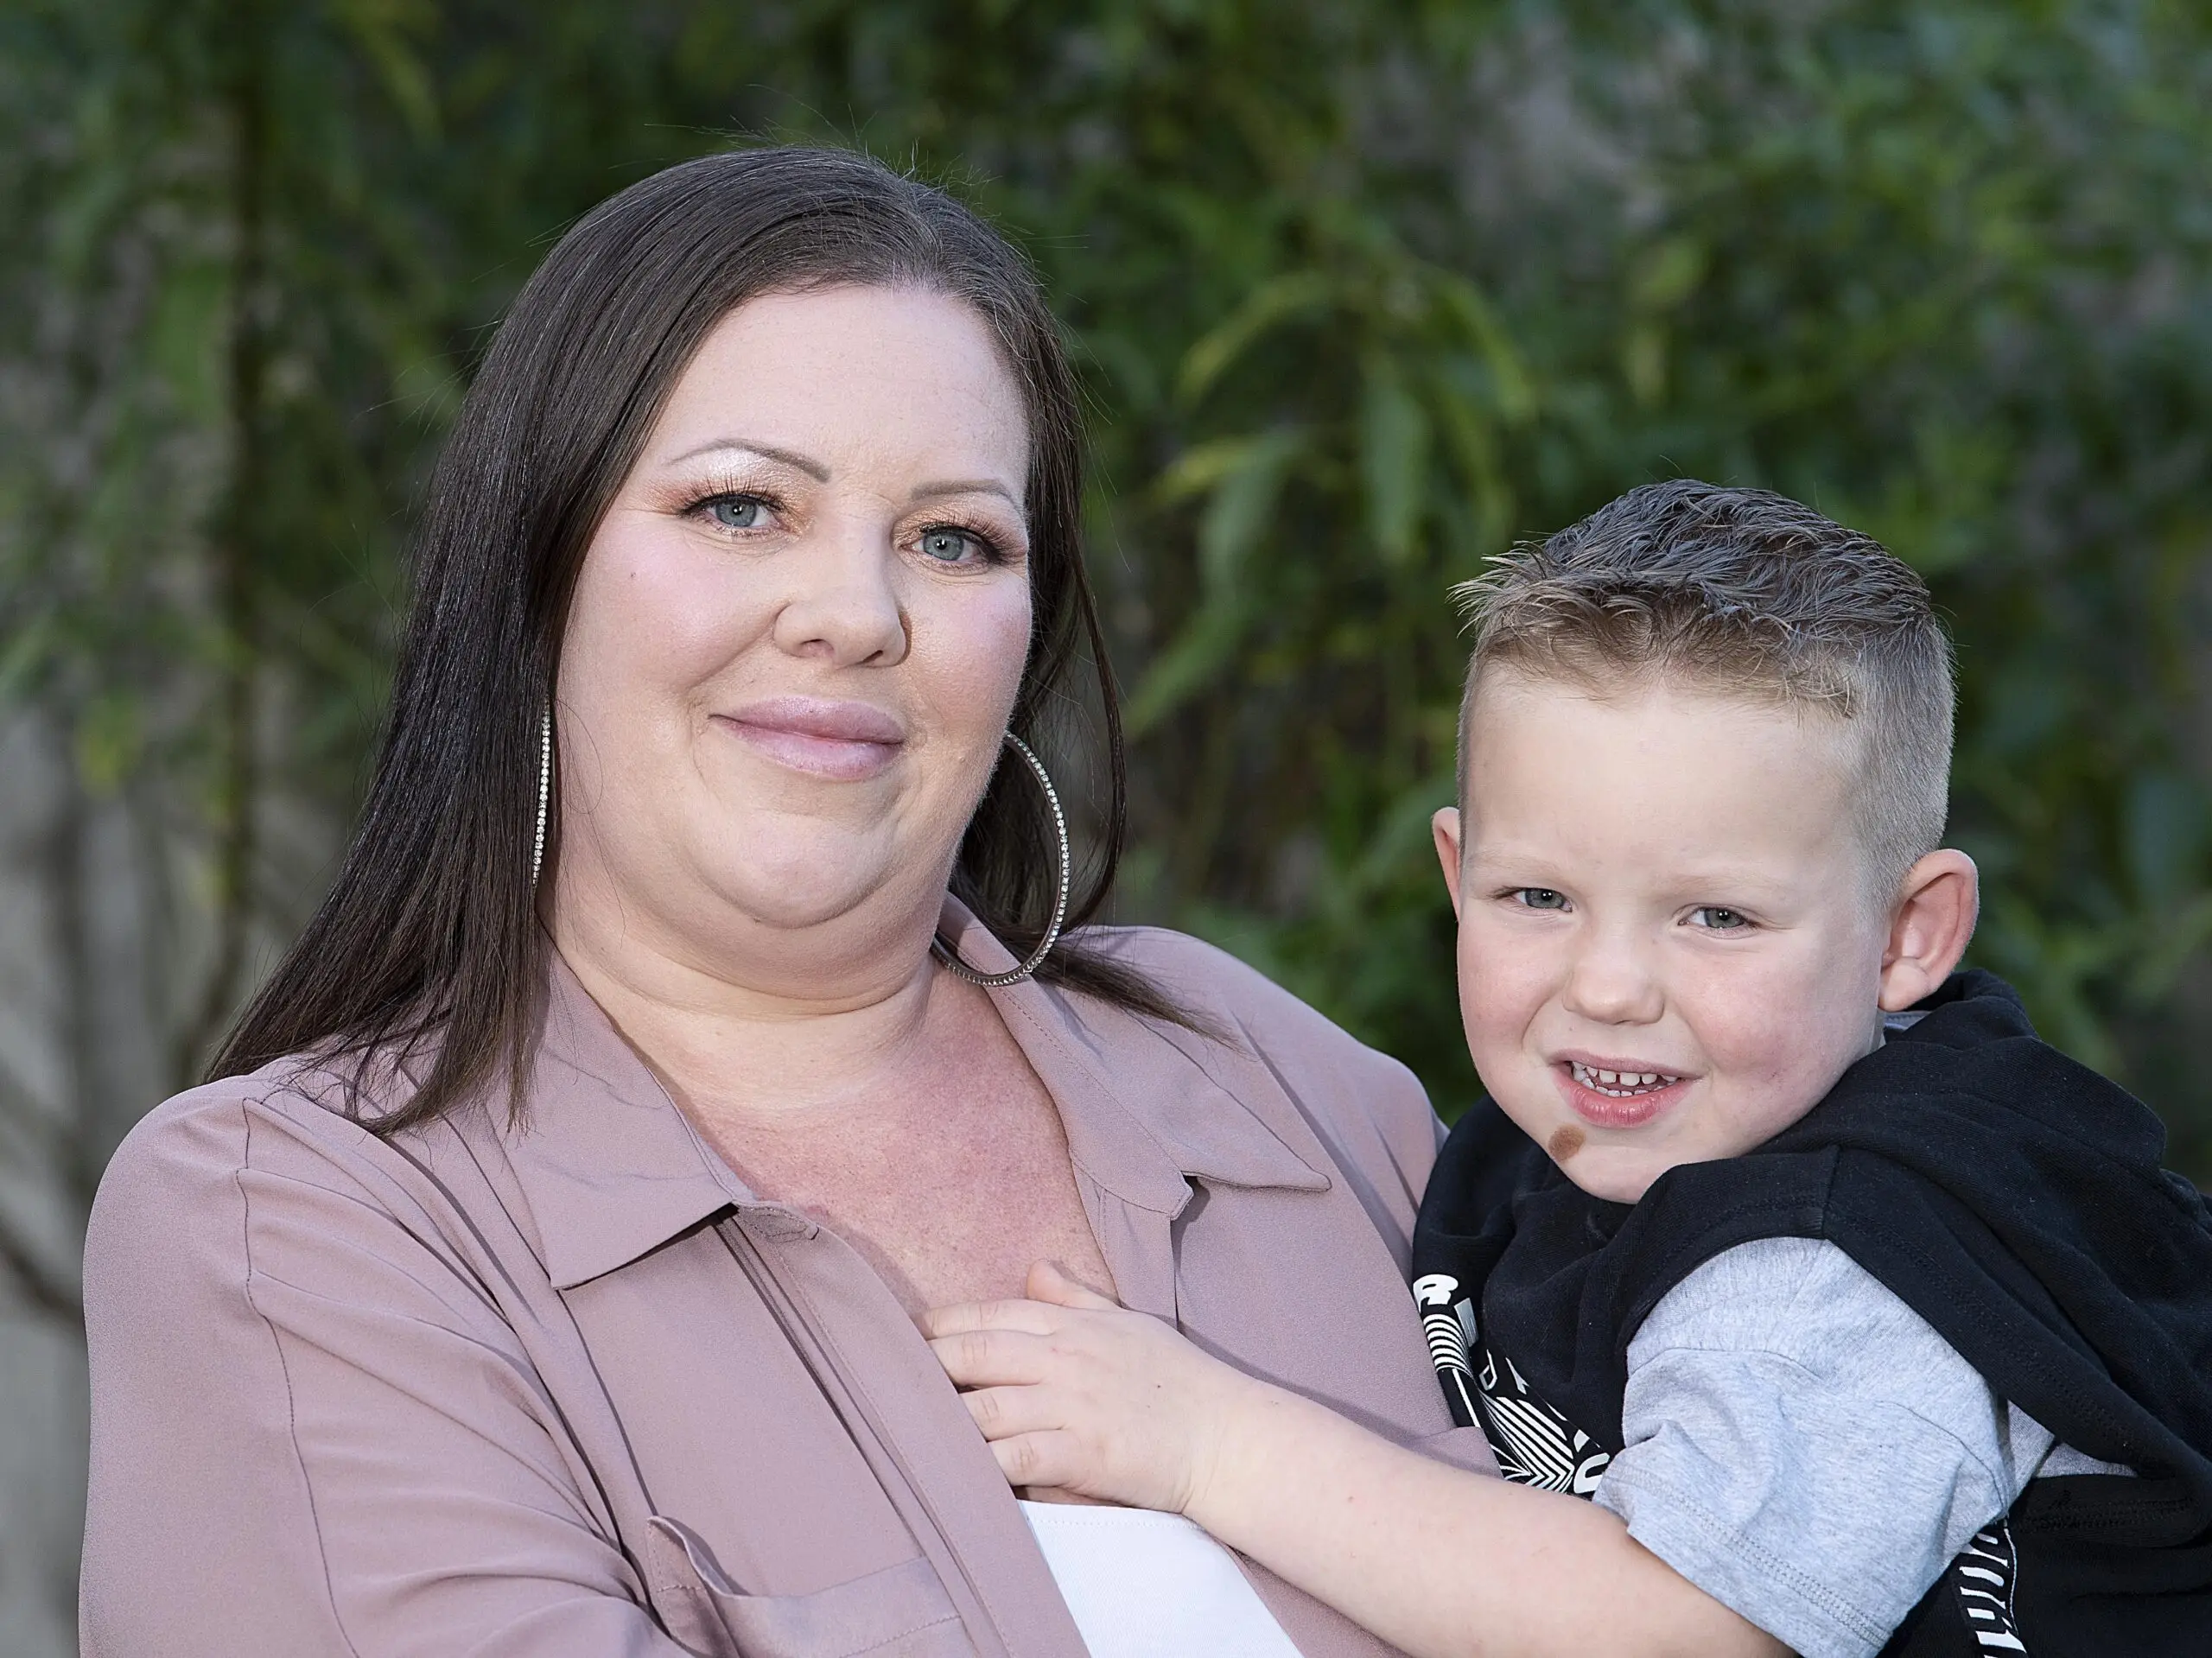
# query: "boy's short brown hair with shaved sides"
1744,594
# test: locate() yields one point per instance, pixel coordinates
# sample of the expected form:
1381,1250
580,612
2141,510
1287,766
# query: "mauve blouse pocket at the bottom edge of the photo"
897,1613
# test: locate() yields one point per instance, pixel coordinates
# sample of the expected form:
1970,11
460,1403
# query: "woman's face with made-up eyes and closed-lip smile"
800,631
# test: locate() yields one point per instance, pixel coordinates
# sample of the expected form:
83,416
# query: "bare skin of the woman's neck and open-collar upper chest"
842,1073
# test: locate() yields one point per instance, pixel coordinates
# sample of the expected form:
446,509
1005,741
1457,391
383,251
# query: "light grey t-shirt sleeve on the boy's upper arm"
1806,1449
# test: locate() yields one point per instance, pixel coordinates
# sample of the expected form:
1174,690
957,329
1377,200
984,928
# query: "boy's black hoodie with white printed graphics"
2007,1195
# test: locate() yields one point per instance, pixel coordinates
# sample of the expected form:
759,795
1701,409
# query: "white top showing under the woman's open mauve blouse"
1154,1586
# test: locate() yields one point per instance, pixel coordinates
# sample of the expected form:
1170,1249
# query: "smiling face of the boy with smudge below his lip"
1667,941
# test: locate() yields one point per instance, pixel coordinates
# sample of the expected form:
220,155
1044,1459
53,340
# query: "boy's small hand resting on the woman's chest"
1085,1396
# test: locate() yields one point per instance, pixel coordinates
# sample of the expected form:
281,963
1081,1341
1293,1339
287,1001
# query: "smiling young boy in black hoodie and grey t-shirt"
1864,1321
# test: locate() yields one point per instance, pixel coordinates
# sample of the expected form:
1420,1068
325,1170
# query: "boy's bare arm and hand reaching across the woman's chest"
1078,1394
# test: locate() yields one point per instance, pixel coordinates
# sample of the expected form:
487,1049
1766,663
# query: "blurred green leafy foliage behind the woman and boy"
1364,293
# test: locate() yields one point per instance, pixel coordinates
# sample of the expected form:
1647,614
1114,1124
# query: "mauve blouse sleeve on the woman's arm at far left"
313,1431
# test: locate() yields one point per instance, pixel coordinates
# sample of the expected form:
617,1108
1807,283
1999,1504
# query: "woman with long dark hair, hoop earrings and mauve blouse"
696,1007
